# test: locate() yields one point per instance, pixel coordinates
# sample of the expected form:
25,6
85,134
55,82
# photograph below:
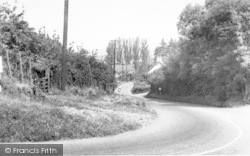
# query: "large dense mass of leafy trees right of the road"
211,57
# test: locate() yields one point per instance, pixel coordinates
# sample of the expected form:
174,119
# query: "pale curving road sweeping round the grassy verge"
179,129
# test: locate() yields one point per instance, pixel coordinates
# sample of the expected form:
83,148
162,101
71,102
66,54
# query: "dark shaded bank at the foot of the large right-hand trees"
207,100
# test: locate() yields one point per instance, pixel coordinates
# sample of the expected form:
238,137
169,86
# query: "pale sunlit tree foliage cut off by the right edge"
241,17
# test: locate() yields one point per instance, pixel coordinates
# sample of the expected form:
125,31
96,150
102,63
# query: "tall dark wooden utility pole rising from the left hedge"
64,51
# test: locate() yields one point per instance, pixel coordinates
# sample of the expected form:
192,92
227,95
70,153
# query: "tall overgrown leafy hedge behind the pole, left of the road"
25,50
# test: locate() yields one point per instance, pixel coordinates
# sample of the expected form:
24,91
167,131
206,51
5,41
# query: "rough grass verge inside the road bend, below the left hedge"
68,116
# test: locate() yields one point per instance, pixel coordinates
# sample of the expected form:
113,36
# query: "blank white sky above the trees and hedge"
93,23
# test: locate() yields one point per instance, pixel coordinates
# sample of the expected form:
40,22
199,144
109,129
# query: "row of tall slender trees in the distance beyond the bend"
129,51
